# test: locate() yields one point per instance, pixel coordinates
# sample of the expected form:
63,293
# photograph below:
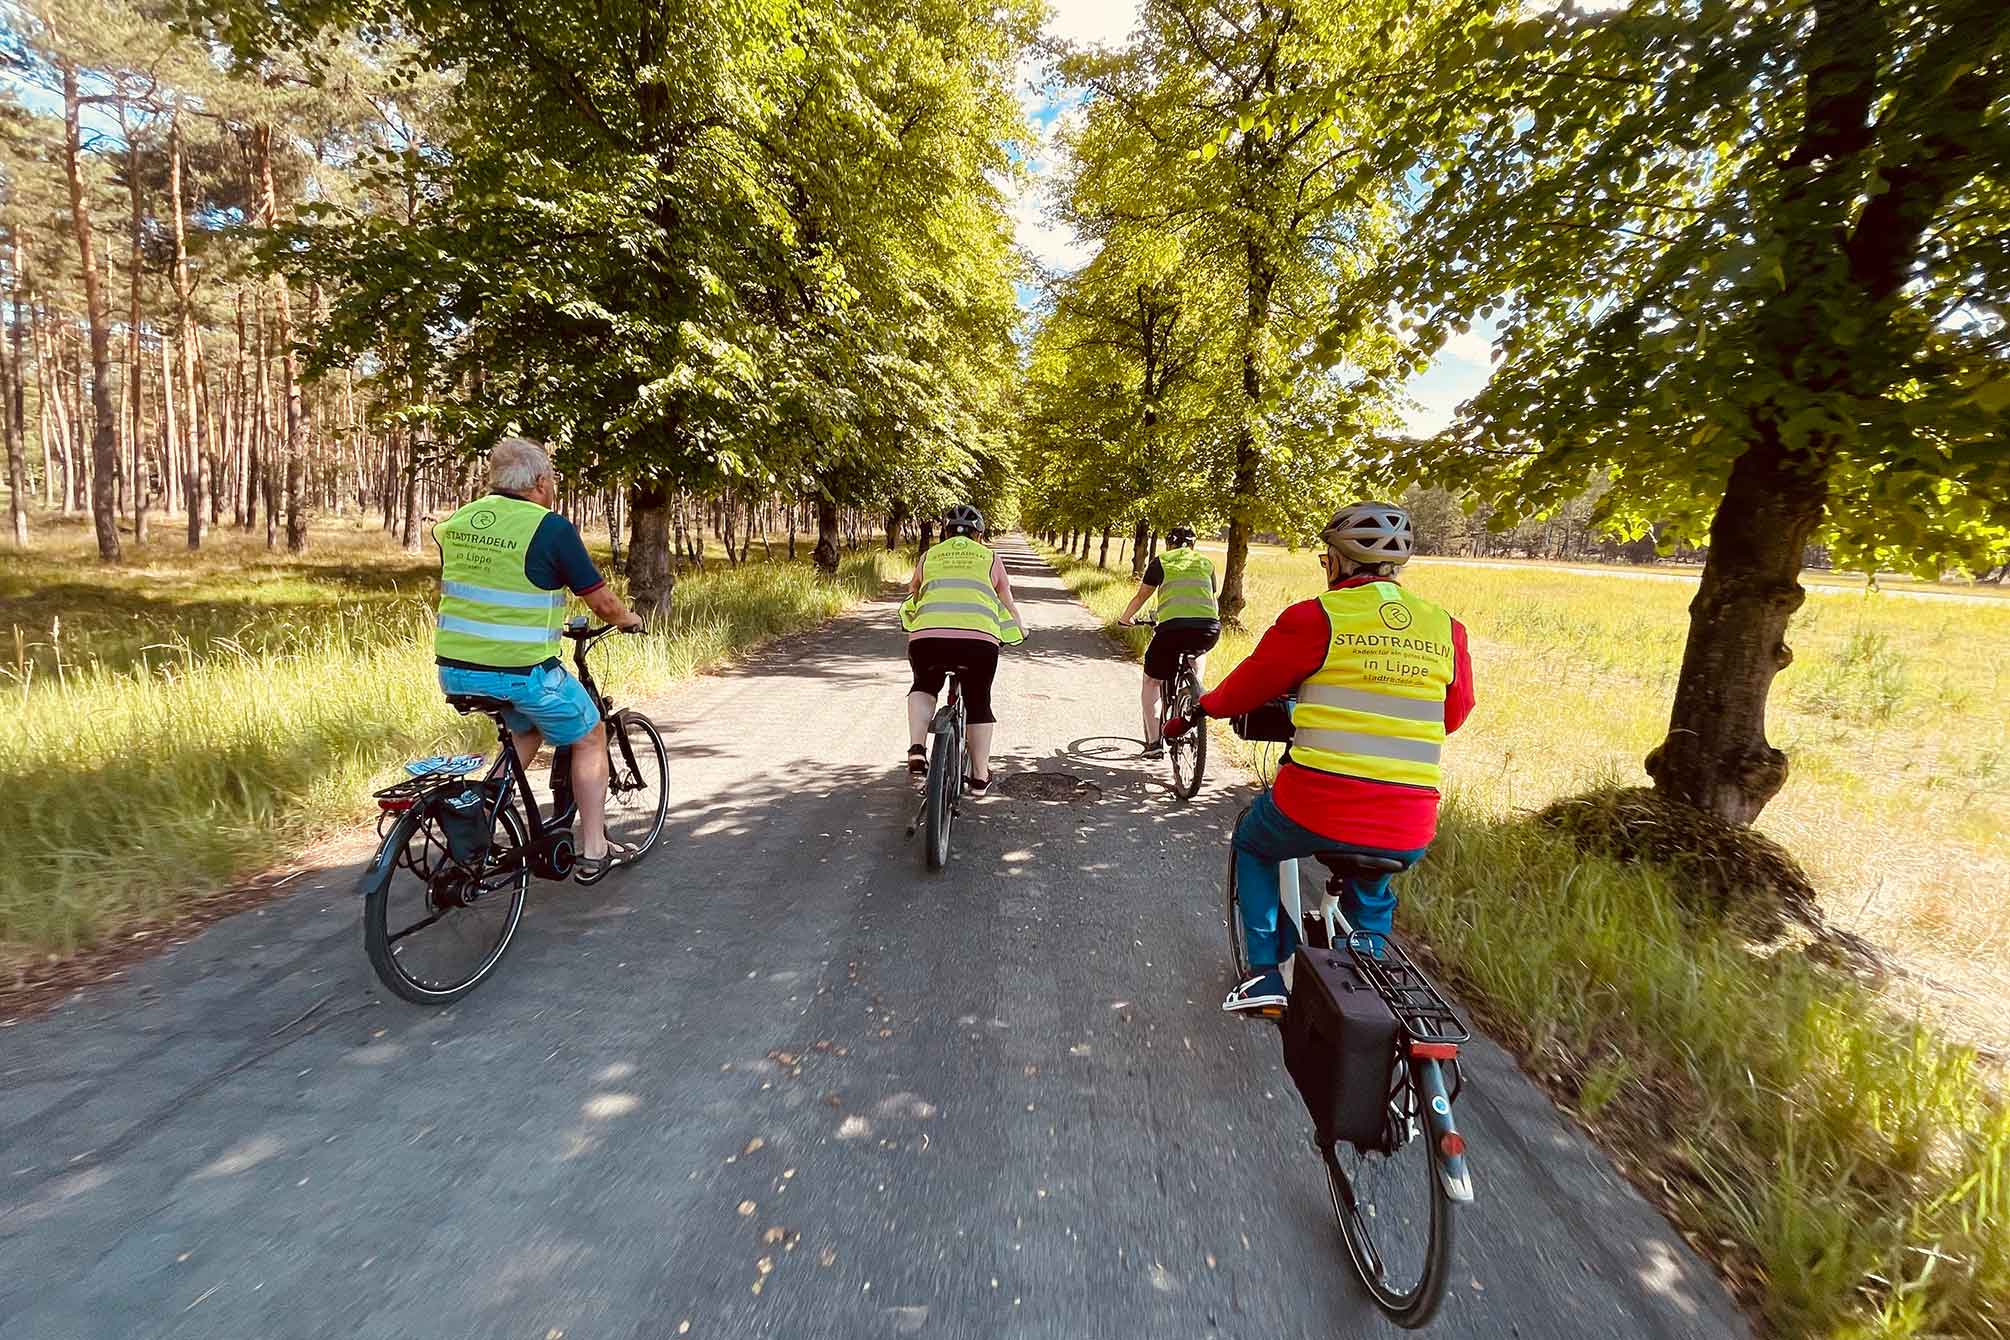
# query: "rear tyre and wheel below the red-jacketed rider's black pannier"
1370,1224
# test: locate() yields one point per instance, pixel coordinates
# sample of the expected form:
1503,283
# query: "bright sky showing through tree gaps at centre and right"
1458,373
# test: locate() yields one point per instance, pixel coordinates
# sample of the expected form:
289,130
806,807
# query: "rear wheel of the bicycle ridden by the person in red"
1396,1214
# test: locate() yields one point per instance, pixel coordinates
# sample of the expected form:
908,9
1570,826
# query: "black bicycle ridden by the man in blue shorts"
445,893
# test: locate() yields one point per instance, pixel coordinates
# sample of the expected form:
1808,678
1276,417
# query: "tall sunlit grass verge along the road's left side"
136,783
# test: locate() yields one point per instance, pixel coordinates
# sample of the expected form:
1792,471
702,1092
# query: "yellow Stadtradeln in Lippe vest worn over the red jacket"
1376,708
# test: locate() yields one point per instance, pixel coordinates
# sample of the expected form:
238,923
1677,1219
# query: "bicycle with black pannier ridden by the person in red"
1394,1192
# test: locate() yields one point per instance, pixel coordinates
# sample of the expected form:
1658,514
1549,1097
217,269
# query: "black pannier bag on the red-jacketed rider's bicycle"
1340,1048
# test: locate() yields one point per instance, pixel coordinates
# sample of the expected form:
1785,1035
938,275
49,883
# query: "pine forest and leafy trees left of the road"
254,274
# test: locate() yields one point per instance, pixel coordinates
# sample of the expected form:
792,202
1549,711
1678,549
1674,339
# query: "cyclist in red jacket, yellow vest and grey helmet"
1382,676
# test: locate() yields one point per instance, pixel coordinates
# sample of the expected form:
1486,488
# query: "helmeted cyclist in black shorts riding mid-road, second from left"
960,610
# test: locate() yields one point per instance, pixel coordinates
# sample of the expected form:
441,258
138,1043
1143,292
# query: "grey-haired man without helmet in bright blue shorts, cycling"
506,566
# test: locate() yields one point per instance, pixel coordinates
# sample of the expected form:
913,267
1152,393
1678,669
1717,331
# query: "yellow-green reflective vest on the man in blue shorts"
491,614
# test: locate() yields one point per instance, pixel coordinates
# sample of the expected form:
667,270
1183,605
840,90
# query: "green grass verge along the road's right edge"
1848,1166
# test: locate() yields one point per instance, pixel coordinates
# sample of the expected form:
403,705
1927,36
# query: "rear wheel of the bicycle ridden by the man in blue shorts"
431,929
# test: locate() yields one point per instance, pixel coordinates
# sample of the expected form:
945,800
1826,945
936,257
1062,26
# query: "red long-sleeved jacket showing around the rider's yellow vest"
1350,811
